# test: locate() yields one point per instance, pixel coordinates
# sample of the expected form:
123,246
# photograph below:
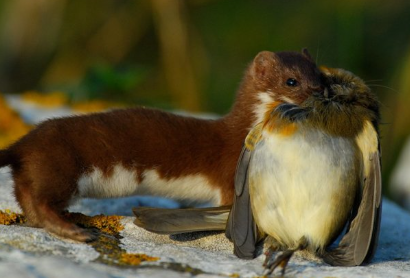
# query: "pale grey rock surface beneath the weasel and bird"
30,252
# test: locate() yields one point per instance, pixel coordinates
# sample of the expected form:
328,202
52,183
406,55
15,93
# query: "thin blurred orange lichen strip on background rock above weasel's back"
50,100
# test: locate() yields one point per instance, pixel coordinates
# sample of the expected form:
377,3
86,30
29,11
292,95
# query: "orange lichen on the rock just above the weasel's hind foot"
107,224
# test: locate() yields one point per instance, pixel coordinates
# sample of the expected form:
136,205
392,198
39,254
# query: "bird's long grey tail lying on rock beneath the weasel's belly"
176,221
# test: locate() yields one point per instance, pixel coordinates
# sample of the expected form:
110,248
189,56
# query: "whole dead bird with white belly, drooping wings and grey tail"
308,170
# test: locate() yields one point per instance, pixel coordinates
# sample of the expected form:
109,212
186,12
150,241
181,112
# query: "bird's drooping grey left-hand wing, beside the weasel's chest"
241,227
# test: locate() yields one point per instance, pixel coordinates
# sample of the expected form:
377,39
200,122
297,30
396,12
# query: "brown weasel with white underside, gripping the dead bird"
146,151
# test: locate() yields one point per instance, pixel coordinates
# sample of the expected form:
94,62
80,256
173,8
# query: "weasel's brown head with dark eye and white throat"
282,77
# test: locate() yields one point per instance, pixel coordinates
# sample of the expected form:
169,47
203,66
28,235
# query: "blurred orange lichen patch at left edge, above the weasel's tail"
11,125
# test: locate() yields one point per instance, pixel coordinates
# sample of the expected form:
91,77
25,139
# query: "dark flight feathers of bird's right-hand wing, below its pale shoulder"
360,242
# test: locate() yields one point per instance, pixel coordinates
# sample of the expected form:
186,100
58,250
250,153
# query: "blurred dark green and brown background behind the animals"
190,55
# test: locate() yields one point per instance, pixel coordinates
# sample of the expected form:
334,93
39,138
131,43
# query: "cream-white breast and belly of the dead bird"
295,182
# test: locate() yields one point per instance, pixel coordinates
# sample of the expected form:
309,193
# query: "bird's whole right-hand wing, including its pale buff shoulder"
359,244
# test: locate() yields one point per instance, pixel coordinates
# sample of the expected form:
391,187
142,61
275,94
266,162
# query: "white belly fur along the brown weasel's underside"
124,182
